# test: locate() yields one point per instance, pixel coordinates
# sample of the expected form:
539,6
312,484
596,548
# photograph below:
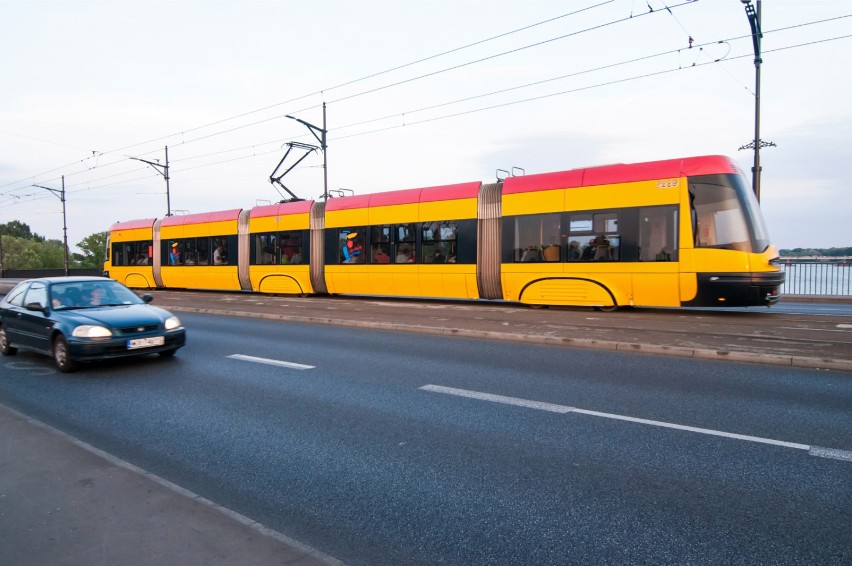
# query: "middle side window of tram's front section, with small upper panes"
594,236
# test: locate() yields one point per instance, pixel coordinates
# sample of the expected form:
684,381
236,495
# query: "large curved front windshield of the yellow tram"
725,214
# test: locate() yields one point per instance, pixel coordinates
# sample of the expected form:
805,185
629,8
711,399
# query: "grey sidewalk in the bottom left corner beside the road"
63,502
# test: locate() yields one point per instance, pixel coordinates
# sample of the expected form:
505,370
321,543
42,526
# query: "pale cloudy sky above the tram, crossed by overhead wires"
418,93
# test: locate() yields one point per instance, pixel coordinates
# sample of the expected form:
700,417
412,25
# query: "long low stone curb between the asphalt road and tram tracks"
803,362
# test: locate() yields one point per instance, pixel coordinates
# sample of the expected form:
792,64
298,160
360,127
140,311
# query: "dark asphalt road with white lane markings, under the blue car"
403,448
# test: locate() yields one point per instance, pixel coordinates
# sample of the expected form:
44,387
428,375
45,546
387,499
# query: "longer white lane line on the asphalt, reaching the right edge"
812,450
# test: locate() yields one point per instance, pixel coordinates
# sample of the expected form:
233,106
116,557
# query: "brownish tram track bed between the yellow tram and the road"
812,335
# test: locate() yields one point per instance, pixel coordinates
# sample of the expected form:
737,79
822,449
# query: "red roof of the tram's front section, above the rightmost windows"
621,173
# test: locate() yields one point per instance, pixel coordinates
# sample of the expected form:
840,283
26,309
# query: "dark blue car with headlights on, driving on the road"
81,319
